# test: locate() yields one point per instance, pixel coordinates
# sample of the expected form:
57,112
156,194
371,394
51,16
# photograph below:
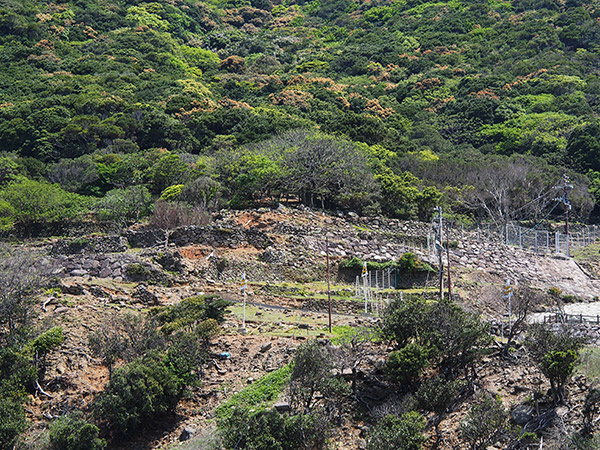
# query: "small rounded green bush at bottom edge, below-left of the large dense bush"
73,432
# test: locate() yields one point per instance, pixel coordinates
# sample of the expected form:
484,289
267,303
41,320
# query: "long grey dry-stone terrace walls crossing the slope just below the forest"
289,239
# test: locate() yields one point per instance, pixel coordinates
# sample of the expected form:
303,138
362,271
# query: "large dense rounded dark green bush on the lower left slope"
138,392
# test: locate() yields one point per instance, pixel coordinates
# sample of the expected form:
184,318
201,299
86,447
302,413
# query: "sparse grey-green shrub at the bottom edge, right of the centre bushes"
483,422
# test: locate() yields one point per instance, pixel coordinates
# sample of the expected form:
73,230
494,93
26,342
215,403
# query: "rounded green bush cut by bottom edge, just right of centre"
398,433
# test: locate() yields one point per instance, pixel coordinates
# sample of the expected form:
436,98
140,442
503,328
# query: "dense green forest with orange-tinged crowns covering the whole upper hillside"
387,107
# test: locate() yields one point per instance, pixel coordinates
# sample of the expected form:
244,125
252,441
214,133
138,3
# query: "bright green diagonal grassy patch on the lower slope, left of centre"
262,392
